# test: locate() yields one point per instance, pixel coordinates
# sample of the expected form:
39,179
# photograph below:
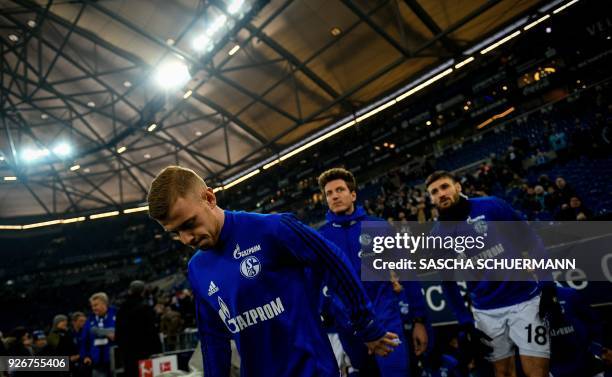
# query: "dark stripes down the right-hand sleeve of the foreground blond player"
352,291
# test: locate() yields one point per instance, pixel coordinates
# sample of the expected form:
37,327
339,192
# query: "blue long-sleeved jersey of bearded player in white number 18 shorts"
486,294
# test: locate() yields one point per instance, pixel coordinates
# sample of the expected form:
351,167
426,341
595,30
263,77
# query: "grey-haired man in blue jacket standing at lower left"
99,335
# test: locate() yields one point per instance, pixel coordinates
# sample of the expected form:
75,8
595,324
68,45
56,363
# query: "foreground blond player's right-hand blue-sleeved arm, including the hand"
311,249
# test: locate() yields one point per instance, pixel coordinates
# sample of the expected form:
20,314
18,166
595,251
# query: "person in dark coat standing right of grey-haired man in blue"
136,334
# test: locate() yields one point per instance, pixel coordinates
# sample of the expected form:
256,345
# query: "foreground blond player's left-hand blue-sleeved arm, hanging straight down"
214,338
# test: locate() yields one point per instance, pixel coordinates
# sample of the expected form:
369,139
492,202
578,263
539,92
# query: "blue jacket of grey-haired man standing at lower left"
94,343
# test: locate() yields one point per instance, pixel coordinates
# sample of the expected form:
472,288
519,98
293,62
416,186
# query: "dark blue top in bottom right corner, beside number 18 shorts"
575,342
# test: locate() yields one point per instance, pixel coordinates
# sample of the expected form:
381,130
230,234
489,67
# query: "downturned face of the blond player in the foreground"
192,218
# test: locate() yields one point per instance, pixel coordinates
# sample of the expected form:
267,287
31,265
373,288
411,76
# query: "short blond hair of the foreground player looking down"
171,183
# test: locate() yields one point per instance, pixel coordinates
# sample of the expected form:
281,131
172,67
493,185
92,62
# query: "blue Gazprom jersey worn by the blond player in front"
253,286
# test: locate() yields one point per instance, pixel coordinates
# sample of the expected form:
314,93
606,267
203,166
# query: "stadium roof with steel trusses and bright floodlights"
78,84
